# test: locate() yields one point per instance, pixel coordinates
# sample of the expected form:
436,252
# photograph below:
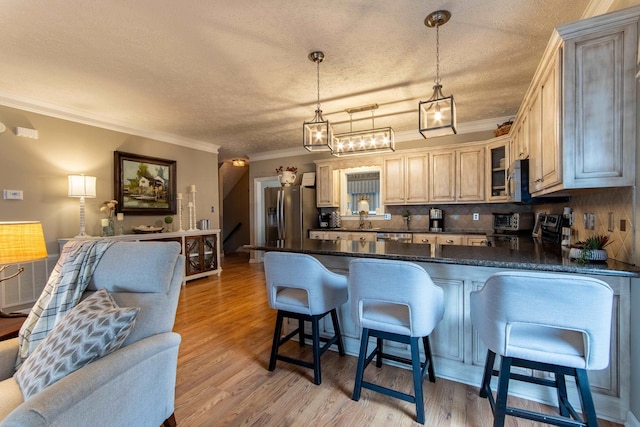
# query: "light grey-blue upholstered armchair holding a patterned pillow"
134,385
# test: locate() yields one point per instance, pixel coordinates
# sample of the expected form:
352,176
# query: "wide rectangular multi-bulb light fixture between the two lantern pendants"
364,141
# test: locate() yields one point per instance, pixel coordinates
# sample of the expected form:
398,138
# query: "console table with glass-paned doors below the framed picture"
201,247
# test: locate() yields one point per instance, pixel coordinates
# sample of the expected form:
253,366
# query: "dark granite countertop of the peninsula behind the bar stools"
531,255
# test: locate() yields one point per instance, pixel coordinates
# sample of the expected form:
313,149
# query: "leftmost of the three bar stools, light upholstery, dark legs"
301,288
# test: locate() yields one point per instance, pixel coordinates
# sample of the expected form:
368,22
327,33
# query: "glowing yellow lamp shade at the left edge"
21,241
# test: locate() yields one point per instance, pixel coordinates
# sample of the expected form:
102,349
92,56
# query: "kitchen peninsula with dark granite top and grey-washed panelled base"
459,270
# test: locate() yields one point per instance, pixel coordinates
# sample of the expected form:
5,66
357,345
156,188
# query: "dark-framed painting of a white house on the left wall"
144,185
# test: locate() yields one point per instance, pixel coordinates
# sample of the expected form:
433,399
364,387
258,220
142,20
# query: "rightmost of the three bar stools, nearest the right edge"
550,322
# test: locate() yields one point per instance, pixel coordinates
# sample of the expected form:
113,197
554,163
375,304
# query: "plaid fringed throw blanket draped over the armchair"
68,280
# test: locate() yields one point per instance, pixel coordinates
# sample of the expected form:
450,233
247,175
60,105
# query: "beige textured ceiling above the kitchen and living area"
236,74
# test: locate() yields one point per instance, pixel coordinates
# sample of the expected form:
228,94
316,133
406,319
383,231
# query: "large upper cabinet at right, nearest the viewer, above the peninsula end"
578,119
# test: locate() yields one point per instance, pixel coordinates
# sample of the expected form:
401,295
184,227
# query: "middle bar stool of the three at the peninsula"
396,301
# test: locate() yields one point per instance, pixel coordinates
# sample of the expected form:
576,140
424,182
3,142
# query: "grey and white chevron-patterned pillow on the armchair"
92,329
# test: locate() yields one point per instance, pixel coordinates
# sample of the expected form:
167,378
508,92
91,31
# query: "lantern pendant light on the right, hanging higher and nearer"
437,116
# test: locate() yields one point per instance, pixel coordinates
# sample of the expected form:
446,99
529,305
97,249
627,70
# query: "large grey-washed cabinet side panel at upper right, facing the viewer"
600,107
